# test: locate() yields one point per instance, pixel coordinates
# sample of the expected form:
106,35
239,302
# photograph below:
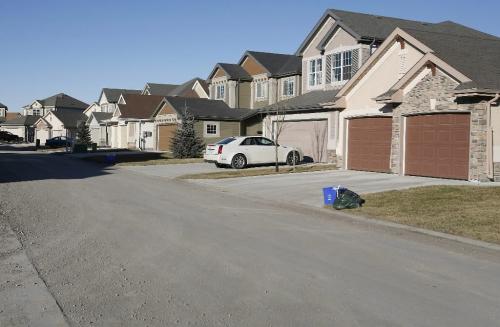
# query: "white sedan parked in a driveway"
240,151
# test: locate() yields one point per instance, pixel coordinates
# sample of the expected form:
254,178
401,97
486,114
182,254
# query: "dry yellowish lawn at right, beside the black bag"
468,211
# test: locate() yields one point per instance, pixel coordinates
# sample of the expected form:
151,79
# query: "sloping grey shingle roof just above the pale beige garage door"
308,101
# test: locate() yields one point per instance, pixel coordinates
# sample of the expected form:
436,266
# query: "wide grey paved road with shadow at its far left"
117,248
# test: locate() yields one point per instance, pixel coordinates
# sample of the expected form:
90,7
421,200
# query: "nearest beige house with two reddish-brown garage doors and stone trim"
419,106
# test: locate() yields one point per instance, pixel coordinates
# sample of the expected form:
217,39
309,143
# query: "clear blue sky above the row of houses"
80,46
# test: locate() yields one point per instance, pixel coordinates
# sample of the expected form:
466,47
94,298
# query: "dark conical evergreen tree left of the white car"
185,143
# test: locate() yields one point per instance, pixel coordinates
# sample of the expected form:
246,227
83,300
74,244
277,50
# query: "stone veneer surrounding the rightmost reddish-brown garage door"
418,101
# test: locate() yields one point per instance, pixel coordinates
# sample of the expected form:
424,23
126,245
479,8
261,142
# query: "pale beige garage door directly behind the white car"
309,135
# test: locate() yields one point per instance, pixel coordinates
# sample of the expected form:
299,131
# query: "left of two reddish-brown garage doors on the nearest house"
369,145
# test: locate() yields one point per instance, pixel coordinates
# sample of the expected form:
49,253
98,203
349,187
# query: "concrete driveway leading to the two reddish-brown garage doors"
306,188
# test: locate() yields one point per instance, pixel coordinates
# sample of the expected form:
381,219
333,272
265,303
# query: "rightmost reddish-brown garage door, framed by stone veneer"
438,145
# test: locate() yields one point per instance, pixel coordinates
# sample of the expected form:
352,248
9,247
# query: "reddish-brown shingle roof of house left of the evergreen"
139,106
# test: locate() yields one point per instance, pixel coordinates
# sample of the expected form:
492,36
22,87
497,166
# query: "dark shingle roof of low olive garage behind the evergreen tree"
208,109
